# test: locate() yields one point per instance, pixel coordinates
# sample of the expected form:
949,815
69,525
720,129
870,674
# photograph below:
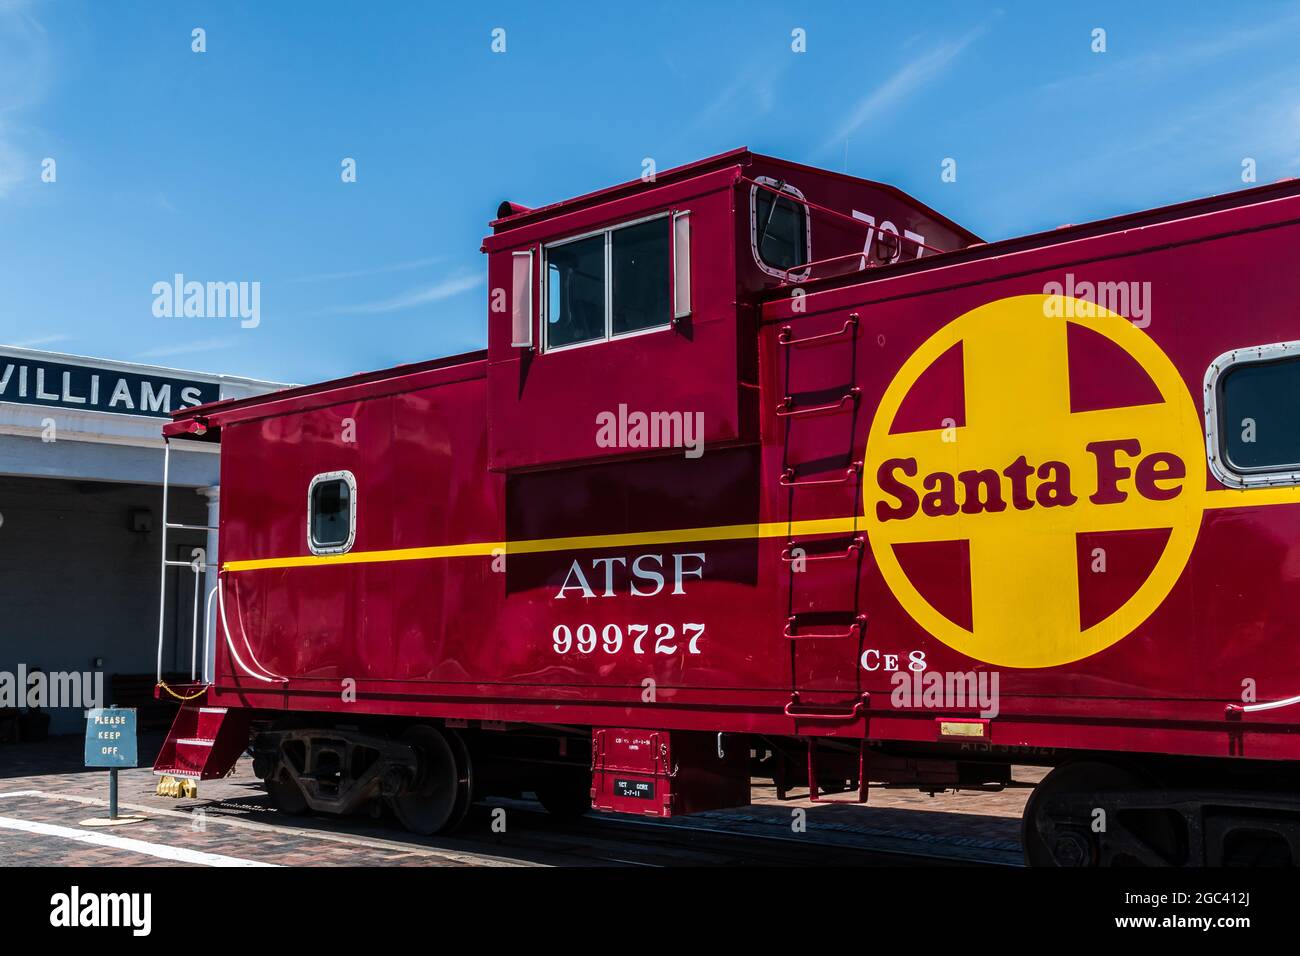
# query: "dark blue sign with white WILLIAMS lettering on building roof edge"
84,388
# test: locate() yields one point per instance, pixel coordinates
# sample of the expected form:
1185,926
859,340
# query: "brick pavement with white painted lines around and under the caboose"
233,819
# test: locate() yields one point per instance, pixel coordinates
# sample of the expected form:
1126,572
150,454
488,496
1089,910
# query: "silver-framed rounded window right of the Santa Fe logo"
1254,416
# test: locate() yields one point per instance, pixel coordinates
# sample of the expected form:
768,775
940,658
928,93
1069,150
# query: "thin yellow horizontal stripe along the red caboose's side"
1224,499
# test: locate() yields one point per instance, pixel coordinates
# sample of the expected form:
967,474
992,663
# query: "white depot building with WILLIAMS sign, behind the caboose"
81,477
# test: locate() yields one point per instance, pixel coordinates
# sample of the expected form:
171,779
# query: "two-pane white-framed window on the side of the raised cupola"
610,284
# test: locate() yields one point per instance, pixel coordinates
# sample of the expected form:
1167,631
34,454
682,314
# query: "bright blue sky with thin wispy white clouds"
226,166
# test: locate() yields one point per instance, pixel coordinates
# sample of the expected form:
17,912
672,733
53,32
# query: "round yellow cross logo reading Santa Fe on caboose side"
1026,473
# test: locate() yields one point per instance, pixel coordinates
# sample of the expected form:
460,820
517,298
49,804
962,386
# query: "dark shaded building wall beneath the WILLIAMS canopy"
79,585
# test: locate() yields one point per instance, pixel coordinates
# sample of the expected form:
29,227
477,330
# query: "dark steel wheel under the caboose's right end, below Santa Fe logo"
1058,828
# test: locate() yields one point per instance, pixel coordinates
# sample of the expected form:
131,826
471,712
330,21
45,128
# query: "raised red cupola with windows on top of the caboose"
644,296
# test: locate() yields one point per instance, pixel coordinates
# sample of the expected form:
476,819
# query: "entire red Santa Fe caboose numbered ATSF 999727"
774,471
